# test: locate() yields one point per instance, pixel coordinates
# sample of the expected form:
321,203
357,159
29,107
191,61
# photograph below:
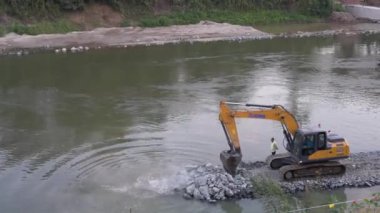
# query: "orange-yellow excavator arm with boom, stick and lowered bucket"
227,115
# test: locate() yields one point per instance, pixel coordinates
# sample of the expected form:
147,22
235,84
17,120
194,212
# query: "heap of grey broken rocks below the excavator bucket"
211,183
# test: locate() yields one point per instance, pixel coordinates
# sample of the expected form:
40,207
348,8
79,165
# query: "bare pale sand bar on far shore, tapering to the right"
117,36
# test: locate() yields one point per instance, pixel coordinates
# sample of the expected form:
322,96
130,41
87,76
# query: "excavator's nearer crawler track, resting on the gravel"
290,172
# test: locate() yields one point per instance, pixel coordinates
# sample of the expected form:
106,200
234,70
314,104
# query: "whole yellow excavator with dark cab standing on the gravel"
310,152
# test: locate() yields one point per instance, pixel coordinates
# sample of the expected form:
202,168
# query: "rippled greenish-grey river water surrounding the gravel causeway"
112,130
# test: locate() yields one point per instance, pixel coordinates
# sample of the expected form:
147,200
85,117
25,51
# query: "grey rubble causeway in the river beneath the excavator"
211,183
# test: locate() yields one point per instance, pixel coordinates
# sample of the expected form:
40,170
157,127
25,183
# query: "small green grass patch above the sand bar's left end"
43,27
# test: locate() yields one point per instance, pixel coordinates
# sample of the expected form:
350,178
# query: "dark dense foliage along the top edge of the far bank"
47,8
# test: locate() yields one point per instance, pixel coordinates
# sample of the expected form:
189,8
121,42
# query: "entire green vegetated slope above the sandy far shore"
53,16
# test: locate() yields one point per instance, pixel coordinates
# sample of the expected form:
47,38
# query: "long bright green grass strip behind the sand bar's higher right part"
252,17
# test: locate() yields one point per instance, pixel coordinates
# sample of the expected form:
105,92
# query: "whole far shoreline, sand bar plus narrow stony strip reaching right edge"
205,31
